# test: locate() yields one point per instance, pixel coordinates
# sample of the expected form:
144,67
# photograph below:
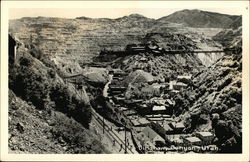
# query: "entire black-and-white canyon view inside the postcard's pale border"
125,80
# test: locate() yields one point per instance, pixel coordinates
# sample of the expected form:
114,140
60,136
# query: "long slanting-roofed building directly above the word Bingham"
154,138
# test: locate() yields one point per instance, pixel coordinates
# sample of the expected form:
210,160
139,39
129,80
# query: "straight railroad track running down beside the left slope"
111,133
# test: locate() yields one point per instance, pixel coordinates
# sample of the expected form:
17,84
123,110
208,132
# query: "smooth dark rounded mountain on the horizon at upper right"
200,19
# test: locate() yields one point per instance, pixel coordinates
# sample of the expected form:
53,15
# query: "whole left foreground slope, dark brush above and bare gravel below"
46,112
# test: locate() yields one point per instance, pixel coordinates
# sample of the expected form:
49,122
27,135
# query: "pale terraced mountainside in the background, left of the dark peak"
79,39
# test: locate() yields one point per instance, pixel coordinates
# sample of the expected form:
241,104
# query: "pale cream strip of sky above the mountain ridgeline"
15,13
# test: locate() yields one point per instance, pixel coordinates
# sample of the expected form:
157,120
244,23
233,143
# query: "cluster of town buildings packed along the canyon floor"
144,134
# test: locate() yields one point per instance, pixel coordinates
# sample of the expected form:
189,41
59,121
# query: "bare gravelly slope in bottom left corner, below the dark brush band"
37,131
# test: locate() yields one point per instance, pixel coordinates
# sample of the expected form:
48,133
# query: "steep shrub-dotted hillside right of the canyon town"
216,103
